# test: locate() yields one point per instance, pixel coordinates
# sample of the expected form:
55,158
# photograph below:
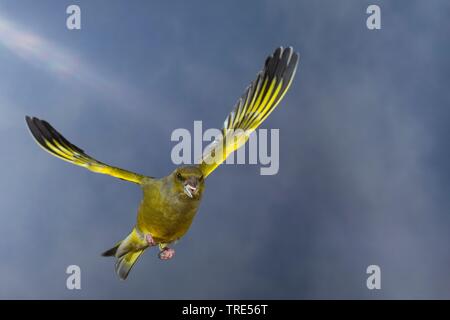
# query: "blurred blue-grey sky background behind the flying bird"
364,164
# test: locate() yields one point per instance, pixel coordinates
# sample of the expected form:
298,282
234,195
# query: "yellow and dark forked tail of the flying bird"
127,253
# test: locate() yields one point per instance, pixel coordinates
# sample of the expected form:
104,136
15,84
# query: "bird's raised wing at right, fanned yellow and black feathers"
255,105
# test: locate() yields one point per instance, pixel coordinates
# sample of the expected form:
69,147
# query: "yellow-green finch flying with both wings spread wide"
169,204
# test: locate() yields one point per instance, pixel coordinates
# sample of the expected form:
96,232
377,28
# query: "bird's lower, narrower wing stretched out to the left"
54,143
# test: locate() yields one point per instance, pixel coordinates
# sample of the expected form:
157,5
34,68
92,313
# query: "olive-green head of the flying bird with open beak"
189,181
